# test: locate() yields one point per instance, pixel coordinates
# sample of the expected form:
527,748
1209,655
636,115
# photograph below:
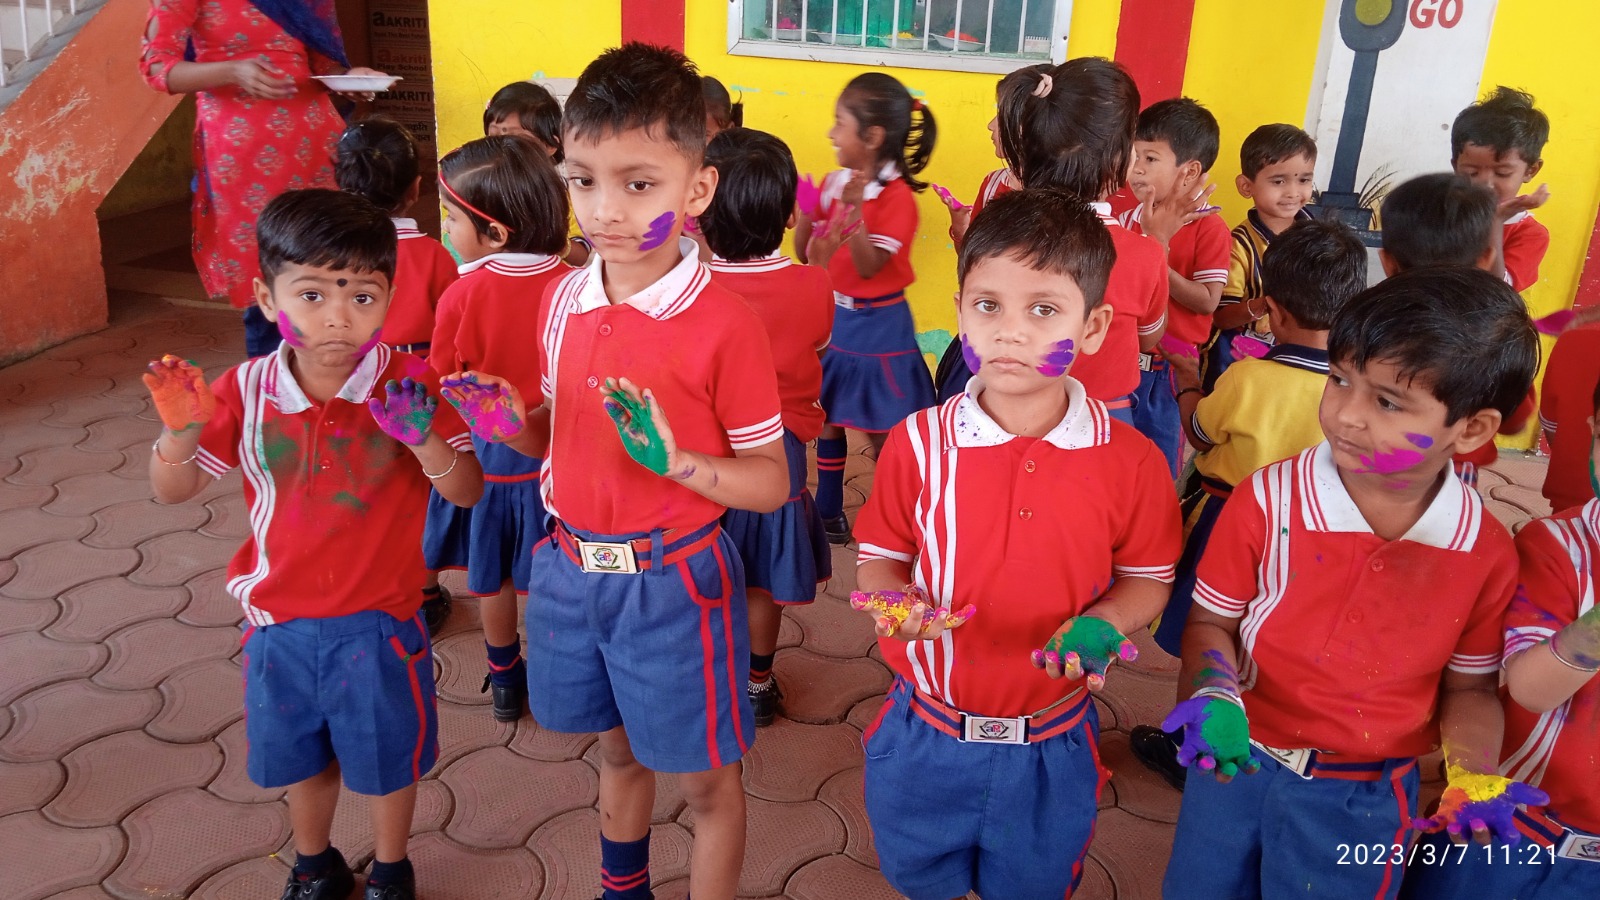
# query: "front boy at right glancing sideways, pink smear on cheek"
1351,605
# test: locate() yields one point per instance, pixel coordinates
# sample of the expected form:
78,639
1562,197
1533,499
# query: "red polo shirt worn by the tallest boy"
697,347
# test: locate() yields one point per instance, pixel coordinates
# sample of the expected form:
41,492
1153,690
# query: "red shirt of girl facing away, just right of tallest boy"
796,305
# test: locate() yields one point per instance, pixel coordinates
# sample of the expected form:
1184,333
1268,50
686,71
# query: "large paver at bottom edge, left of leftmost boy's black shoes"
180,840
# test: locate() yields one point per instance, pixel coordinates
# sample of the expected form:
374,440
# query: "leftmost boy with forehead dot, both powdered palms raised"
340,438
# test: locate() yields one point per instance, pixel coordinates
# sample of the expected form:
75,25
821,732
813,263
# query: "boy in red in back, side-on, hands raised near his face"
1174,150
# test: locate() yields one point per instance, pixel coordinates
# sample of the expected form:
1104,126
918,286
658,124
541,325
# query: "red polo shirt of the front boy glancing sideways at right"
1346,637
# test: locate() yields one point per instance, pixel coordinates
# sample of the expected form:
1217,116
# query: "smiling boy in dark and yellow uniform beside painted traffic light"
1278,171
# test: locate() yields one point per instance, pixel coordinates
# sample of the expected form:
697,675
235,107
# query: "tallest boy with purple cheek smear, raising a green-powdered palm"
662,411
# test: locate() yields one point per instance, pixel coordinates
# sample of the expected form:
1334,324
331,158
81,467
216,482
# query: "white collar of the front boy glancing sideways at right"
1450,521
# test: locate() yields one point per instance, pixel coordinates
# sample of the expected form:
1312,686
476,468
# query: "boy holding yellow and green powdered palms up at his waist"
1058,526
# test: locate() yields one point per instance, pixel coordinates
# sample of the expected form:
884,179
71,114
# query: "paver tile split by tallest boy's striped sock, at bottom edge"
569,846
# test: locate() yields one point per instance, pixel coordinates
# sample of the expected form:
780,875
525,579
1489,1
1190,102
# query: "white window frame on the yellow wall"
937,60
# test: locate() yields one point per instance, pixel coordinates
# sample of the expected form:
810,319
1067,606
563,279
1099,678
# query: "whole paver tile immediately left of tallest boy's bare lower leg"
502,797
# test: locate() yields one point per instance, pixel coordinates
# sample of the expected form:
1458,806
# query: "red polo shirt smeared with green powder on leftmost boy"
337,507
